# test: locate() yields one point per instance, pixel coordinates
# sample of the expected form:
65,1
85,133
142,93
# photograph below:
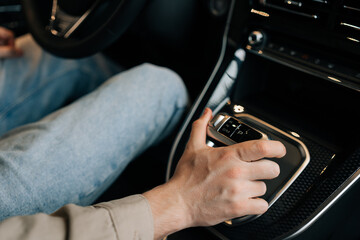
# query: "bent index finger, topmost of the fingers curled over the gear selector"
258,149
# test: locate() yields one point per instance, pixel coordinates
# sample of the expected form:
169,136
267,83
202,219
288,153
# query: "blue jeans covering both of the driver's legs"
52,155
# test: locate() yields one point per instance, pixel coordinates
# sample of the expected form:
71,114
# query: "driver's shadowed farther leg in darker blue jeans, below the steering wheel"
39,83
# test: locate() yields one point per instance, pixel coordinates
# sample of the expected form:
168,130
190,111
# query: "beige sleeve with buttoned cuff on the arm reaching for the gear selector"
126,218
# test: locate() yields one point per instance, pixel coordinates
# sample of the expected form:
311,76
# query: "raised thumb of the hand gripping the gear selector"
199,127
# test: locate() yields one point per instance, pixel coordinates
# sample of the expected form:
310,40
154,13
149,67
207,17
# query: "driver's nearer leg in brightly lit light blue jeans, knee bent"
74,154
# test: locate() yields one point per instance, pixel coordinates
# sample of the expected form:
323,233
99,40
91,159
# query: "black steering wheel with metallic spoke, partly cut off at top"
79,28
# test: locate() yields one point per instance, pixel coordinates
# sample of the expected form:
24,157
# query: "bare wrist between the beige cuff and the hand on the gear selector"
170,212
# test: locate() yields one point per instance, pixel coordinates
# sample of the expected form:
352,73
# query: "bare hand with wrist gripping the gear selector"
211,185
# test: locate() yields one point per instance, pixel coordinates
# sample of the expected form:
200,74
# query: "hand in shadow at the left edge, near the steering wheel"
7,44
